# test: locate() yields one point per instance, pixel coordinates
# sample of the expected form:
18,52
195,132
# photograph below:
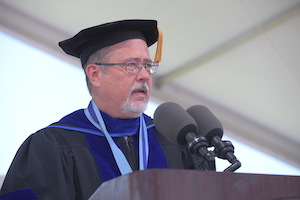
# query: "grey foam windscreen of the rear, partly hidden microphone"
208,124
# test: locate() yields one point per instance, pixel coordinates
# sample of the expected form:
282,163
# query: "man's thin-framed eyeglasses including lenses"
134,67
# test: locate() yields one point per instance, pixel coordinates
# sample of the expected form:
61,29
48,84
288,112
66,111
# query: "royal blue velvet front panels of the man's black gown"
99,146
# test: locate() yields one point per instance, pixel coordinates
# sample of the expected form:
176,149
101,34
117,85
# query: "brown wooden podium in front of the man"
164,184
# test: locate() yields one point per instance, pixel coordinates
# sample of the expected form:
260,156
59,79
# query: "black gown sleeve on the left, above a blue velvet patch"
39,163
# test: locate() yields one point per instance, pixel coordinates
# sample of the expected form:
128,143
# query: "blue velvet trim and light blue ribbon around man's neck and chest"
101,149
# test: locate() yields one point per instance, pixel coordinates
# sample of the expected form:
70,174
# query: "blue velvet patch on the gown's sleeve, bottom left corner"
24,194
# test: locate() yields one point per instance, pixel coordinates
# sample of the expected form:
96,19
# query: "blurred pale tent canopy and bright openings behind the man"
239,58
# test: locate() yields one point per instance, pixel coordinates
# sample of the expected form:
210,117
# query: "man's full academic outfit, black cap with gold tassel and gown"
70,159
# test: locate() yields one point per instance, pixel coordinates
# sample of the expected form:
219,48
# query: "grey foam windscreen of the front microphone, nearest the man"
174,122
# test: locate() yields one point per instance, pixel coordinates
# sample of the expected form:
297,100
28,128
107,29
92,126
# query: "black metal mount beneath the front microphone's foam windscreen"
198,145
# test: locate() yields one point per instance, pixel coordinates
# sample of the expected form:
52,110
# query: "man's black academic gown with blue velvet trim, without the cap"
69,160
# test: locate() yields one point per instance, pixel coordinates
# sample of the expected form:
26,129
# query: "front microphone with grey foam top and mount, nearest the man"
179,127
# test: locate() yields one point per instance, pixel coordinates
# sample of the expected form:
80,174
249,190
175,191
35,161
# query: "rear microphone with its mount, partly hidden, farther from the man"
211,128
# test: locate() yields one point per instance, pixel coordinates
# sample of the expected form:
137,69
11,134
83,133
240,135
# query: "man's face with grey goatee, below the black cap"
122,94
